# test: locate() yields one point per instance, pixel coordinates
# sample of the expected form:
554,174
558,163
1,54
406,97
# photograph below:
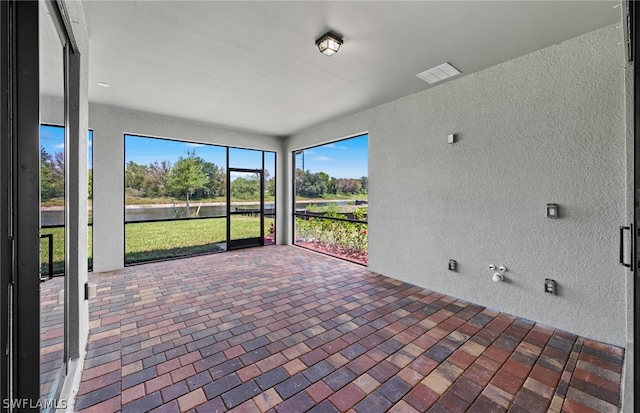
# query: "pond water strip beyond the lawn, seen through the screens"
53,217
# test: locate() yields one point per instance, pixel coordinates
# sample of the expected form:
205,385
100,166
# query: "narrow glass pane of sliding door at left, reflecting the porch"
53,64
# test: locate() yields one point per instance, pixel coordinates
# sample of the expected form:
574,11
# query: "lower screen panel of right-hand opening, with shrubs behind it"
337,236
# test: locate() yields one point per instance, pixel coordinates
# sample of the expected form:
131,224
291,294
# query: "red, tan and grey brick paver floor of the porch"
282,329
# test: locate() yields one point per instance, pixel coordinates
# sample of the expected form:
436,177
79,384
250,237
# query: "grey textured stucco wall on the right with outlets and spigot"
548,127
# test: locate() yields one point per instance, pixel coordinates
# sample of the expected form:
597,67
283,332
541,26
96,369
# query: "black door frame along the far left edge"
20,201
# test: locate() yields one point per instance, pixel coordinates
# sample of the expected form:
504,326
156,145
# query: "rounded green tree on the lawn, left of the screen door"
187,176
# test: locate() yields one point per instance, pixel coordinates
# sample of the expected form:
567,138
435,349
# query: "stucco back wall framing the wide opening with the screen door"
109,125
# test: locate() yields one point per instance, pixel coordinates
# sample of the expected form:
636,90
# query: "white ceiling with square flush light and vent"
254,65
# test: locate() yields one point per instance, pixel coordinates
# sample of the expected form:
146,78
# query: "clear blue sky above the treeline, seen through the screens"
343,159
